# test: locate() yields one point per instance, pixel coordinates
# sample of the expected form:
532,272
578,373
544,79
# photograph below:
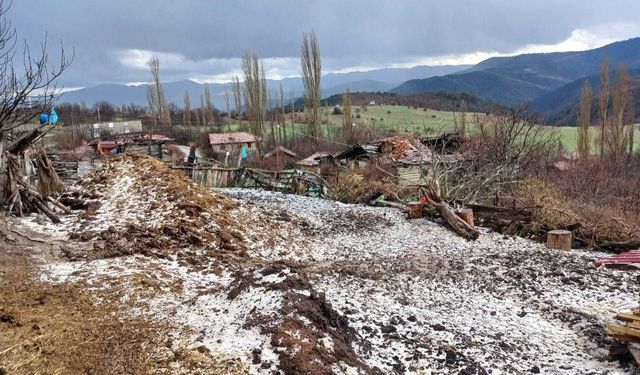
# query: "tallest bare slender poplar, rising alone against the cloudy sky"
311,71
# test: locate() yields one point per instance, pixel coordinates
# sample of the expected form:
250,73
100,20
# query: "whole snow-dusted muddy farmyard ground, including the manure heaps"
277,283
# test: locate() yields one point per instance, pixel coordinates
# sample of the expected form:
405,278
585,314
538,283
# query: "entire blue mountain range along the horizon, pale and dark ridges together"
549,82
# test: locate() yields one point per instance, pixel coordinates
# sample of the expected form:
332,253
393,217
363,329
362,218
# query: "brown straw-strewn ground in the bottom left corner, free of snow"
61,329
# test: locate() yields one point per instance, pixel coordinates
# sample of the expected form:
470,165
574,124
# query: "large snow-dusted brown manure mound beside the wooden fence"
136,204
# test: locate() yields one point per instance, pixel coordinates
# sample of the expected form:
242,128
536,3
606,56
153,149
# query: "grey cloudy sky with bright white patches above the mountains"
204,40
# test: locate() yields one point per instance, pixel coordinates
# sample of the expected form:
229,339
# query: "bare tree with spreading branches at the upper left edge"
29,89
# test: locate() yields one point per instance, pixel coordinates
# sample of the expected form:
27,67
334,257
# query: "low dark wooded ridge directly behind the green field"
441,101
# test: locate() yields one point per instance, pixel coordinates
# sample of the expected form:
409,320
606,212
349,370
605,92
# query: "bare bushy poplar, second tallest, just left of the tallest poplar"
255,91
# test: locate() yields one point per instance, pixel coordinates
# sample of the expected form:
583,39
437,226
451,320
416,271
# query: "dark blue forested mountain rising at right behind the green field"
517,79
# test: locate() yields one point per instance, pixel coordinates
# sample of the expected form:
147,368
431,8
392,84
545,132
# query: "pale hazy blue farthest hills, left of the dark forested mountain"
375,80
